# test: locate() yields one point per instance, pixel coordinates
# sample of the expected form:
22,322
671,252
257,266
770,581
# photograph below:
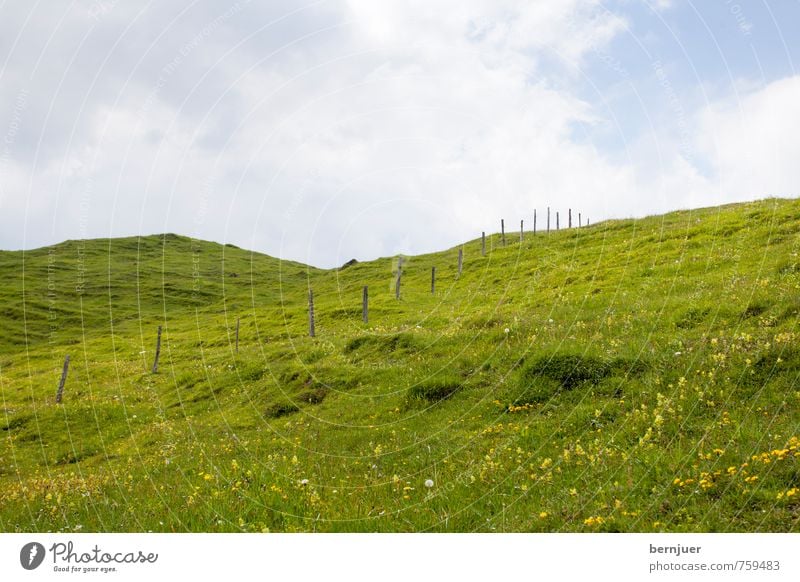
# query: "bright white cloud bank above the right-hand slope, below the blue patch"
740,148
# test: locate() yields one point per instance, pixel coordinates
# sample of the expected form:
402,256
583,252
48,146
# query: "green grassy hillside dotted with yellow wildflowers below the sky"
635,375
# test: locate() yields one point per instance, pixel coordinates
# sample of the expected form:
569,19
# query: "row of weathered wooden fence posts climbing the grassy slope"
365,291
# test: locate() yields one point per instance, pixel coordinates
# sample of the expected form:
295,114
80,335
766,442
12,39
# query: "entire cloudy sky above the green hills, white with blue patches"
335,129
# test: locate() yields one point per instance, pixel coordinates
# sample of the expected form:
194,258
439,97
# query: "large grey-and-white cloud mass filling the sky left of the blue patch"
373,129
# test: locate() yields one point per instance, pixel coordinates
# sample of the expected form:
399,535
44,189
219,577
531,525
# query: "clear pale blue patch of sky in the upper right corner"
710,49
